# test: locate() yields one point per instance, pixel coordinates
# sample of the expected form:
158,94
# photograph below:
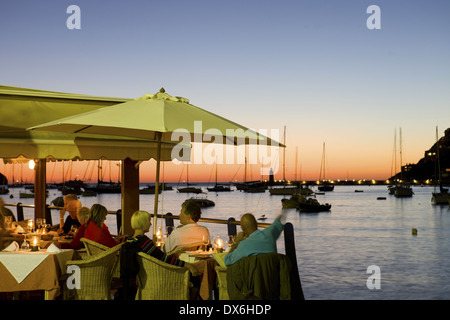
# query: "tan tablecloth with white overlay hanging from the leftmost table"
24,270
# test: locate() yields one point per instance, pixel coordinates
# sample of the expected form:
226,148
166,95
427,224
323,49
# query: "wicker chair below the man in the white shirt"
158,280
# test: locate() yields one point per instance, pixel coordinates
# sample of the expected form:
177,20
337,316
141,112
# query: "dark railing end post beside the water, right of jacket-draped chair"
289,242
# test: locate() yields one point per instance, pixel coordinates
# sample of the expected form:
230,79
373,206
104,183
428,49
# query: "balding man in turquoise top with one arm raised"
252,241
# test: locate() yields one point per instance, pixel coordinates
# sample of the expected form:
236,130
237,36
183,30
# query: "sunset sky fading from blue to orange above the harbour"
312,66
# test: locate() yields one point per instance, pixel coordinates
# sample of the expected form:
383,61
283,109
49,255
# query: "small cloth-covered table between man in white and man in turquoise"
205,264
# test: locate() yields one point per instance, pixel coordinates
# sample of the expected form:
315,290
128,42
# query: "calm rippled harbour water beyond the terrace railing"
334,249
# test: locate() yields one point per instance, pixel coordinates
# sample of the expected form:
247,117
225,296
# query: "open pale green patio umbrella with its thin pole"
158,116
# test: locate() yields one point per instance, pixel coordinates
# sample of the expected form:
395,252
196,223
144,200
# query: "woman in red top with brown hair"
96,230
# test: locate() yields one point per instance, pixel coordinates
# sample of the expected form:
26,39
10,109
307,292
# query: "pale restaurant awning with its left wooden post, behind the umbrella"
21,108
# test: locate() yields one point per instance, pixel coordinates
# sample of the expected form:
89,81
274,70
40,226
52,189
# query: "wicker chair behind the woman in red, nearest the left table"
95,276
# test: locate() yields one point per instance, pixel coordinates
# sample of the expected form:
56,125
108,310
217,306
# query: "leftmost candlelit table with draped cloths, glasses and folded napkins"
34,259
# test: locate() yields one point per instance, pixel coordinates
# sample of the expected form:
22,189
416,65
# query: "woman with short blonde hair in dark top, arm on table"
129,266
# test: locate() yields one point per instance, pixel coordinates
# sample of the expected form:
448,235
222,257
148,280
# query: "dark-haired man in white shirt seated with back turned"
189,232
